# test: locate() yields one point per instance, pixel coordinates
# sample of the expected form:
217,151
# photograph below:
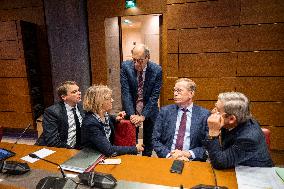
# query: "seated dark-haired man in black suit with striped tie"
62,121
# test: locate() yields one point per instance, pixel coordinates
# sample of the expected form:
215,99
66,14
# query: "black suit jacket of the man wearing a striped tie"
55,126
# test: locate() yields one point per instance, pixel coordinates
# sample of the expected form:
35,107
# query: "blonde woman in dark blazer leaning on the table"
98,125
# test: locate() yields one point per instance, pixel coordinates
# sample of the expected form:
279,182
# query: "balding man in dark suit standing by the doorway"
141,82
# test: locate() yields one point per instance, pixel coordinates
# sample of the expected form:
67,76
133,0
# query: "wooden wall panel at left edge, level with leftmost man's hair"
15,86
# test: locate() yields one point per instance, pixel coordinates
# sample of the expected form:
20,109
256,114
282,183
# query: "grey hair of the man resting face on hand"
237,104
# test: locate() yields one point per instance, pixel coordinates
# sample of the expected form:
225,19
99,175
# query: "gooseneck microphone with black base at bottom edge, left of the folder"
55,182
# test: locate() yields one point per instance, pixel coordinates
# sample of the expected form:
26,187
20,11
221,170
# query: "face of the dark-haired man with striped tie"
73,95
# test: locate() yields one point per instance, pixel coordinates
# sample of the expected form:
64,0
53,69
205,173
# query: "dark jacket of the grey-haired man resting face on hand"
243,145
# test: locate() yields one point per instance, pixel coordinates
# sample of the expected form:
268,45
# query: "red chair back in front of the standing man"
125,134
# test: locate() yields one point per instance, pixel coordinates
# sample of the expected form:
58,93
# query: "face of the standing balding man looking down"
139,59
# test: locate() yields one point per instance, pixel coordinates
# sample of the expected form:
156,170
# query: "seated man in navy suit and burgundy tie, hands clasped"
181,127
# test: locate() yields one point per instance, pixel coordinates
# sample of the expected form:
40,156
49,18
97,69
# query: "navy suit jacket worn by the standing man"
151,88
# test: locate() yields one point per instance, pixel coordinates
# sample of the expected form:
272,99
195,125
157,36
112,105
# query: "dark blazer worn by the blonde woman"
93,136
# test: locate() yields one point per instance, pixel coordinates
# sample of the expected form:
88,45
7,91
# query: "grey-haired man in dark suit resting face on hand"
242,140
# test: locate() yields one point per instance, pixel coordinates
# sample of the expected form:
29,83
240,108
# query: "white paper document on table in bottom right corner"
258,178
